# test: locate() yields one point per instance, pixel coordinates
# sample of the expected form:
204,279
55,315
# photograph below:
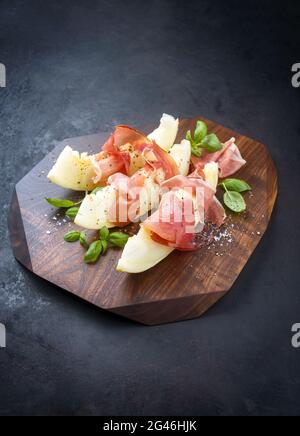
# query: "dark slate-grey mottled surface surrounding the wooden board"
76,67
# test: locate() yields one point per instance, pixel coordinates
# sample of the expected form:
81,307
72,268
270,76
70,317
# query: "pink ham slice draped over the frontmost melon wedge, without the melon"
183,212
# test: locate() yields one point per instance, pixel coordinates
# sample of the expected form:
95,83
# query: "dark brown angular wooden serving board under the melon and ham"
184,285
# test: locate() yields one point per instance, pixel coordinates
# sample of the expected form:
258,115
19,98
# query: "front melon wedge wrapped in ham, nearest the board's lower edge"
181,221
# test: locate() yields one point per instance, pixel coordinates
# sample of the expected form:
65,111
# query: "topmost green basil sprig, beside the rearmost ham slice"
202,140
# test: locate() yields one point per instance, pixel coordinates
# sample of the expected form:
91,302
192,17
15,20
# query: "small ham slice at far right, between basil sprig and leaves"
229,159
